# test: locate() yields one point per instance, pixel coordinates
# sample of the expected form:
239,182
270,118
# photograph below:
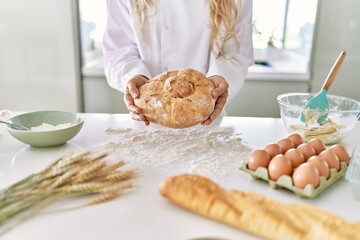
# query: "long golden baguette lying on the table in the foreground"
254,213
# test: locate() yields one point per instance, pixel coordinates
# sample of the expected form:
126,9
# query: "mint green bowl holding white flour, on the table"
46,137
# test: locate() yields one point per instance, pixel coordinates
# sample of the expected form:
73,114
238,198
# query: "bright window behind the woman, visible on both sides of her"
282,35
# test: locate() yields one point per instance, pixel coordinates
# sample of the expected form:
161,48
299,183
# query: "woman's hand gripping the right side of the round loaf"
221,94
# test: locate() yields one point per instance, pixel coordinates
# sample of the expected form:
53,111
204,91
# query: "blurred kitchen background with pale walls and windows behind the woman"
50,54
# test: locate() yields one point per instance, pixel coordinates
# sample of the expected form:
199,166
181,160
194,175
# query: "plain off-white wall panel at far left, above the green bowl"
39,60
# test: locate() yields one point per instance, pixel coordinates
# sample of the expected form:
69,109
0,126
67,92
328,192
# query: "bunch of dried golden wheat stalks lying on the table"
71,175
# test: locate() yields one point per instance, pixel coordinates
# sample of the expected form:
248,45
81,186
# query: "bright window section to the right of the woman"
283,35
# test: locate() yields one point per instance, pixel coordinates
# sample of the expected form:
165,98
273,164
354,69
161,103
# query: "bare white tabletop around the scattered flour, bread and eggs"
144,213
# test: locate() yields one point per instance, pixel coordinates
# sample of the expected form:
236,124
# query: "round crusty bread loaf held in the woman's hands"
177,99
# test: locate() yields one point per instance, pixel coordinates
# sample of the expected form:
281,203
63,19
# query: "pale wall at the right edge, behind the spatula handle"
338,29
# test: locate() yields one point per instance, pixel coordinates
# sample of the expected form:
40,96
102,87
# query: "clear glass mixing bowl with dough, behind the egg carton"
342,116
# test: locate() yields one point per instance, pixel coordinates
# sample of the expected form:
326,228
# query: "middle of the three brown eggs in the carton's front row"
278,166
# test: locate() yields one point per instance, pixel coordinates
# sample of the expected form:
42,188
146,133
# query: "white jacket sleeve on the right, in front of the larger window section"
234,65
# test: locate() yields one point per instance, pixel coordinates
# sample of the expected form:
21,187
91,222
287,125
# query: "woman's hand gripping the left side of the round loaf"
132,92
